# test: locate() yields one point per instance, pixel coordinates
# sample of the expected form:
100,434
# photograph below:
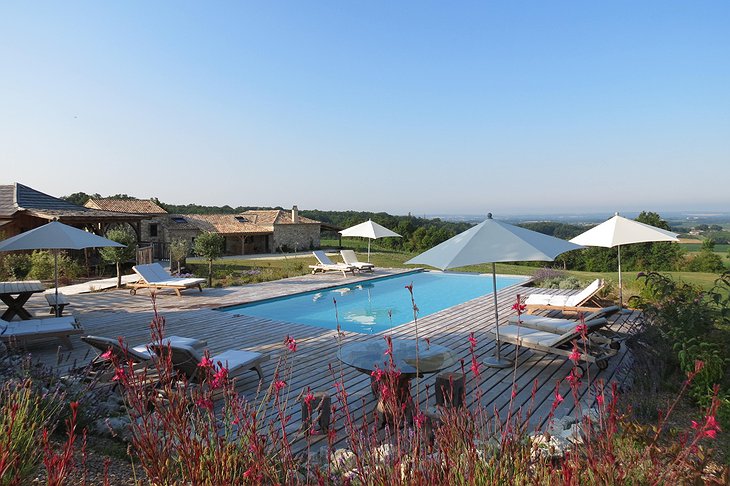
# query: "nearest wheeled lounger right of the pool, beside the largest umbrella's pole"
561,344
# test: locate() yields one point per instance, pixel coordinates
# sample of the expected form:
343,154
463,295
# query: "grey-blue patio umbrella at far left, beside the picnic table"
55,236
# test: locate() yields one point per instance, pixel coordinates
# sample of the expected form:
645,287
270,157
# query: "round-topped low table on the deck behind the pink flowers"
368,356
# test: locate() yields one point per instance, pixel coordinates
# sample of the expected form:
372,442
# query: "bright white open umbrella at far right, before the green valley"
619,231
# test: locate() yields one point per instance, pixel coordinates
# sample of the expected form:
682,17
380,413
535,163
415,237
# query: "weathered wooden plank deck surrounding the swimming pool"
314,364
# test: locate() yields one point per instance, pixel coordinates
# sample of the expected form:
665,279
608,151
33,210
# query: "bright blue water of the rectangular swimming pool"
376,305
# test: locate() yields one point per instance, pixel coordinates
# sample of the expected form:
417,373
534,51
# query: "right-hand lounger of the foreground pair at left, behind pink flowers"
185,359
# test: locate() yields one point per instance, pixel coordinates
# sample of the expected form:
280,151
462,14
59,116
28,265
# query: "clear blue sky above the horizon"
429,107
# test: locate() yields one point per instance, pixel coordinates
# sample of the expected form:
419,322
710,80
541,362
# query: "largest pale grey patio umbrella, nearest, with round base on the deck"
489,242
